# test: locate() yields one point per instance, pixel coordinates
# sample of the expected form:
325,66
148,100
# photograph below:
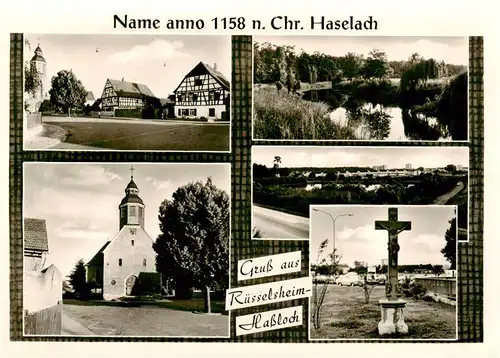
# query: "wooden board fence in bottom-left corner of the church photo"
47,321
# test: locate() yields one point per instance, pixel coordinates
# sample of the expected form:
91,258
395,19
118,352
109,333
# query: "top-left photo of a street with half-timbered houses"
127,92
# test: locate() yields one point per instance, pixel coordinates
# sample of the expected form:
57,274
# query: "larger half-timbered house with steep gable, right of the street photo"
203,93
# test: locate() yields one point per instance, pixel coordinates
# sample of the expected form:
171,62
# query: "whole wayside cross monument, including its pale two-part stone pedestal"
392,306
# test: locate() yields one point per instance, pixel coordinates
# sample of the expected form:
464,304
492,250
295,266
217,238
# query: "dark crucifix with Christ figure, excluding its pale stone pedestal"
394,228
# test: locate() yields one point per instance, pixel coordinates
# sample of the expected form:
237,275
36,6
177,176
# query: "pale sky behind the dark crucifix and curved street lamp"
357,239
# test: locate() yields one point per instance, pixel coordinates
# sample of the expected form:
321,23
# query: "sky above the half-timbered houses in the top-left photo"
160,62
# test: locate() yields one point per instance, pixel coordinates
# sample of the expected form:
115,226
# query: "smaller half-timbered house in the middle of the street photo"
125,95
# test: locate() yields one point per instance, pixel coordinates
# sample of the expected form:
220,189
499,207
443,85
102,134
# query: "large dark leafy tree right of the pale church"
193,247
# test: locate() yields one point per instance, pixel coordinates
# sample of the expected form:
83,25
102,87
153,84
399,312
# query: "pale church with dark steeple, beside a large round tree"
120,263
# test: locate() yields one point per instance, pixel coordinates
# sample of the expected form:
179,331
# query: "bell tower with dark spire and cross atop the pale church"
131,207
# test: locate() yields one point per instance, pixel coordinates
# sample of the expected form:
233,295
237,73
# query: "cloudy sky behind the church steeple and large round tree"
80,201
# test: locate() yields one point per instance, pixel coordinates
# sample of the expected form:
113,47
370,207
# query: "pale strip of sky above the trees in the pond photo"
451,50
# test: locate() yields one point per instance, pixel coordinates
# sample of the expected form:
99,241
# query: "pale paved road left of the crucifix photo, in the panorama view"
277,225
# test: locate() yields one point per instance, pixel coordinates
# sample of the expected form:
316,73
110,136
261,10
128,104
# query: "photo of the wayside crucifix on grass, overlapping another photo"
383,272
